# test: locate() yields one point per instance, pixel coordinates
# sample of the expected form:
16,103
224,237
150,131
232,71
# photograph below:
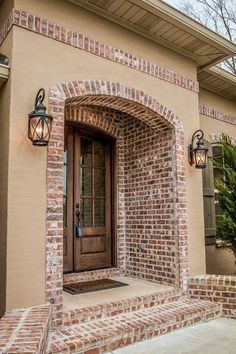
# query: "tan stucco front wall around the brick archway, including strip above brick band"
42,62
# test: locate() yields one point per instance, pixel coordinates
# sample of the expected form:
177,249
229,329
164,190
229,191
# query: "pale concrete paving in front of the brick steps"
215,337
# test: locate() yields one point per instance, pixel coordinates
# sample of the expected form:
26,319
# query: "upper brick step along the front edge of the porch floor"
90,313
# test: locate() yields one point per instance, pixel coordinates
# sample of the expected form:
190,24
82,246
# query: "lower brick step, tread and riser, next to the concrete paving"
107,334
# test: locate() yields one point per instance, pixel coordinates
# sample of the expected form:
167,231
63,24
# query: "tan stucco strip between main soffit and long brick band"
78,19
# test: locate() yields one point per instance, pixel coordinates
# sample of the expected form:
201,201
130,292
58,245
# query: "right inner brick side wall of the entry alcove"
151,249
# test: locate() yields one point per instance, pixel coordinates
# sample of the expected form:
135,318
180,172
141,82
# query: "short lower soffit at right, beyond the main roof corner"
218,81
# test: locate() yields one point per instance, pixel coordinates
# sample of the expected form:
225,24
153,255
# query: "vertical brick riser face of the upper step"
114,309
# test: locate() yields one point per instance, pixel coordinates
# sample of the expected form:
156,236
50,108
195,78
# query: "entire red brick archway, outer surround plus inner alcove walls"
152,131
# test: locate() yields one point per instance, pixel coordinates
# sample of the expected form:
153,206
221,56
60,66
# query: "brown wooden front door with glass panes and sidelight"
87,201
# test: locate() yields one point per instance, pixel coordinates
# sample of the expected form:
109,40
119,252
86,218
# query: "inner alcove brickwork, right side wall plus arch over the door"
146,242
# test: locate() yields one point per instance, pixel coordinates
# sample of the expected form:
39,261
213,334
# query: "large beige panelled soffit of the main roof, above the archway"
162,23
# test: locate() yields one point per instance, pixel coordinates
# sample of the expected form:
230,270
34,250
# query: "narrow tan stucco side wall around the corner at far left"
5,96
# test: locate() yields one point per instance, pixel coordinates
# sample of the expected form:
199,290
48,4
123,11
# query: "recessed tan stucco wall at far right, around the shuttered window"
218,260
